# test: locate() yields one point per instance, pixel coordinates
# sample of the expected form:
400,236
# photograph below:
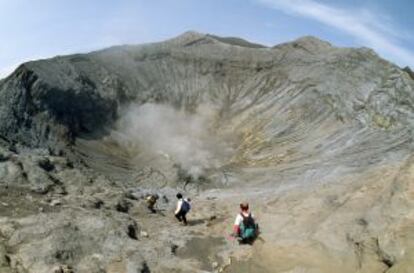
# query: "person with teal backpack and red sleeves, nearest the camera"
245,228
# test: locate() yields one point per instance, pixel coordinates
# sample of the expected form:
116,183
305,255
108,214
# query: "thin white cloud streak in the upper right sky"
362,24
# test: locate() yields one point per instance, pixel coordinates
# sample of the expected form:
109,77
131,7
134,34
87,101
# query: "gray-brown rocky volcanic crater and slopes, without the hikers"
317,138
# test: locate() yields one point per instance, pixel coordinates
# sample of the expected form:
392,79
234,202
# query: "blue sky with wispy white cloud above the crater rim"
44,28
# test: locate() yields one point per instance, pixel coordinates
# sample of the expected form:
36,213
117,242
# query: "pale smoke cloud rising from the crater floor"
153,130
